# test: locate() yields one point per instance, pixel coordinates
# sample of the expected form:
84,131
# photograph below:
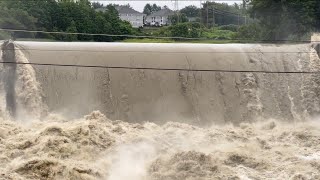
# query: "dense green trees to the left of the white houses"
61,16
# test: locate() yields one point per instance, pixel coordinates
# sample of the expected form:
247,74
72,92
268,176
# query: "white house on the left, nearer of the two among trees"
128,14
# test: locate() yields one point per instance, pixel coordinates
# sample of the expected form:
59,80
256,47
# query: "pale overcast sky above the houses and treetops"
138,5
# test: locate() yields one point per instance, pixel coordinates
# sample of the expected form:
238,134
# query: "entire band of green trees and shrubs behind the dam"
253,19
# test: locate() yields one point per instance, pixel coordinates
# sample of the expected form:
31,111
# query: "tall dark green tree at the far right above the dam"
281,19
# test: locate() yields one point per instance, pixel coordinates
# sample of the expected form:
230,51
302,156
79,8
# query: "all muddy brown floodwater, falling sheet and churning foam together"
213,111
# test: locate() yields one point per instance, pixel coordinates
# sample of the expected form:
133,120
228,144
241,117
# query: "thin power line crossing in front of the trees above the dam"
151,37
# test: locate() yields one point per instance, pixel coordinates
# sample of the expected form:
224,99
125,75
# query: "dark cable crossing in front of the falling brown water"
166,69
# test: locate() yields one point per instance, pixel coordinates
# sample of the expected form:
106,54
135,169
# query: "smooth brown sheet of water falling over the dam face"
195,97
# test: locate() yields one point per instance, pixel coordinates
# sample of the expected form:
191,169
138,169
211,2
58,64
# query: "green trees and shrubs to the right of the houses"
261,19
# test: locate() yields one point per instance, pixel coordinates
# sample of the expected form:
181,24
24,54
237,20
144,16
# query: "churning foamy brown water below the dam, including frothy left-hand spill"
38,144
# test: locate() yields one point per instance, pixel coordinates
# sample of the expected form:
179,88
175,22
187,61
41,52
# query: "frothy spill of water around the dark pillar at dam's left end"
22,90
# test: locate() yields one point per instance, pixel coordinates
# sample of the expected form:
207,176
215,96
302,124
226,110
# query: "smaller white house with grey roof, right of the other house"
159,18
